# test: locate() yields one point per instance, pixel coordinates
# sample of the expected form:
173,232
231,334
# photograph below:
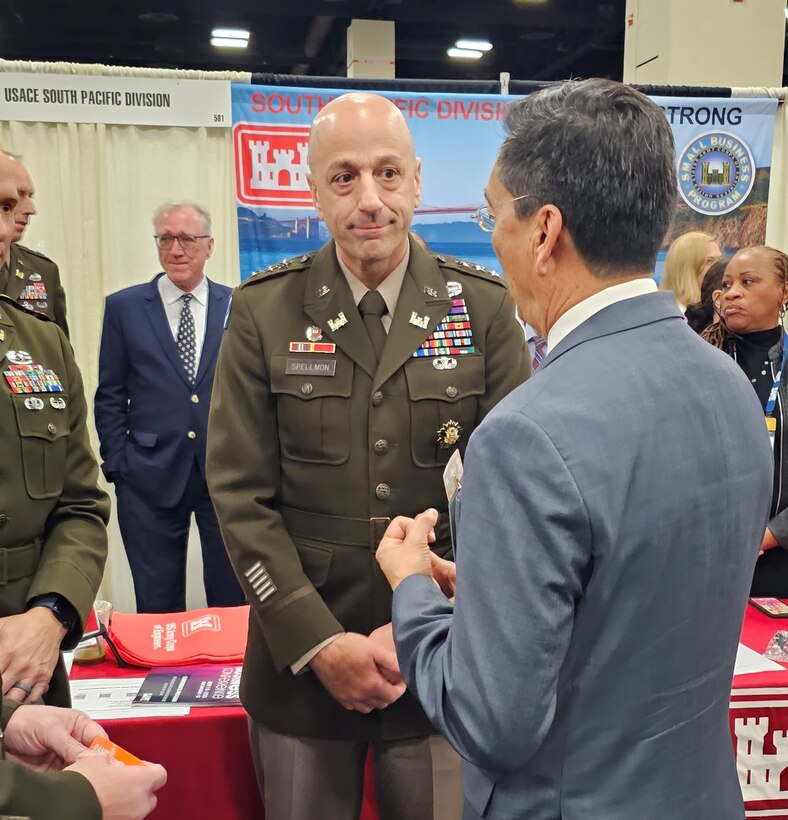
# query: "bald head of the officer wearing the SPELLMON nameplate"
365,180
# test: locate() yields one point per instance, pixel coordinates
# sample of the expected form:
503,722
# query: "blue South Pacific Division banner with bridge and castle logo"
723,162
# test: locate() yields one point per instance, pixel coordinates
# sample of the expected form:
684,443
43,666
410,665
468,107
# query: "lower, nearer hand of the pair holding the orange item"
124,792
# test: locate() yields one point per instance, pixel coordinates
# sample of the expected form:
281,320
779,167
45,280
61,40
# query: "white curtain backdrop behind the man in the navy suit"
96,189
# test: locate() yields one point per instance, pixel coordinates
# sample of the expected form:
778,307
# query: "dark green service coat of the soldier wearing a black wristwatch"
53,516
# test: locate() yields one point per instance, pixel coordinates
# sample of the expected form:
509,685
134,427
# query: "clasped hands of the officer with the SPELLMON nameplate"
350,668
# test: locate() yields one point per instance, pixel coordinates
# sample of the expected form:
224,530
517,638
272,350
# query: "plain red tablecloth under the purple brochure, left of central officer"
206,754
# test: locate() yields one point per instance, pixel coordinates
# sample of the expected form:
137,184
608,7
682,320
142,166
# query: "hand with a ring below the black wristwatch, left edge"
29,649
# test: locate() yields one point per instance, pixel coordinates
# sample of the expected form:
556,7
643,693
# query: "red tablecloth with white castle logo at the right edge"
759,726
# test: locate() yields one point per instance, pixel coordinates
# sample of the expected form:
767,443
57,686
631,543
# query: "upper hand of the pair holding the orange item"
47,738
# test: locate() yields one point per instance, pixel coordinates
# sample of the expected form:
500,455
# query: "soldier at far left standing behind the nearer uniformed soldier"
27,276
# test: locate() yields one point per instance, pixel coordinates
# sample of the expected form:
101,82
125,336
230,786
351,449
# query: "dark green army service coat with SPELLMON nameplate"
313,447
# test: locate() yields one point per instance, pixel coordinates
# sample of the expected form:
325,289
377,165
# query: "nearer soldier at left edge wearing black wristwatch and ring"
53,516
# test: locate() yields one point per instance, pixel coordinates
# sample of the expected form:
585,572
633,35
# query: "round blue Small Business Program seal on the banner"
716,173
